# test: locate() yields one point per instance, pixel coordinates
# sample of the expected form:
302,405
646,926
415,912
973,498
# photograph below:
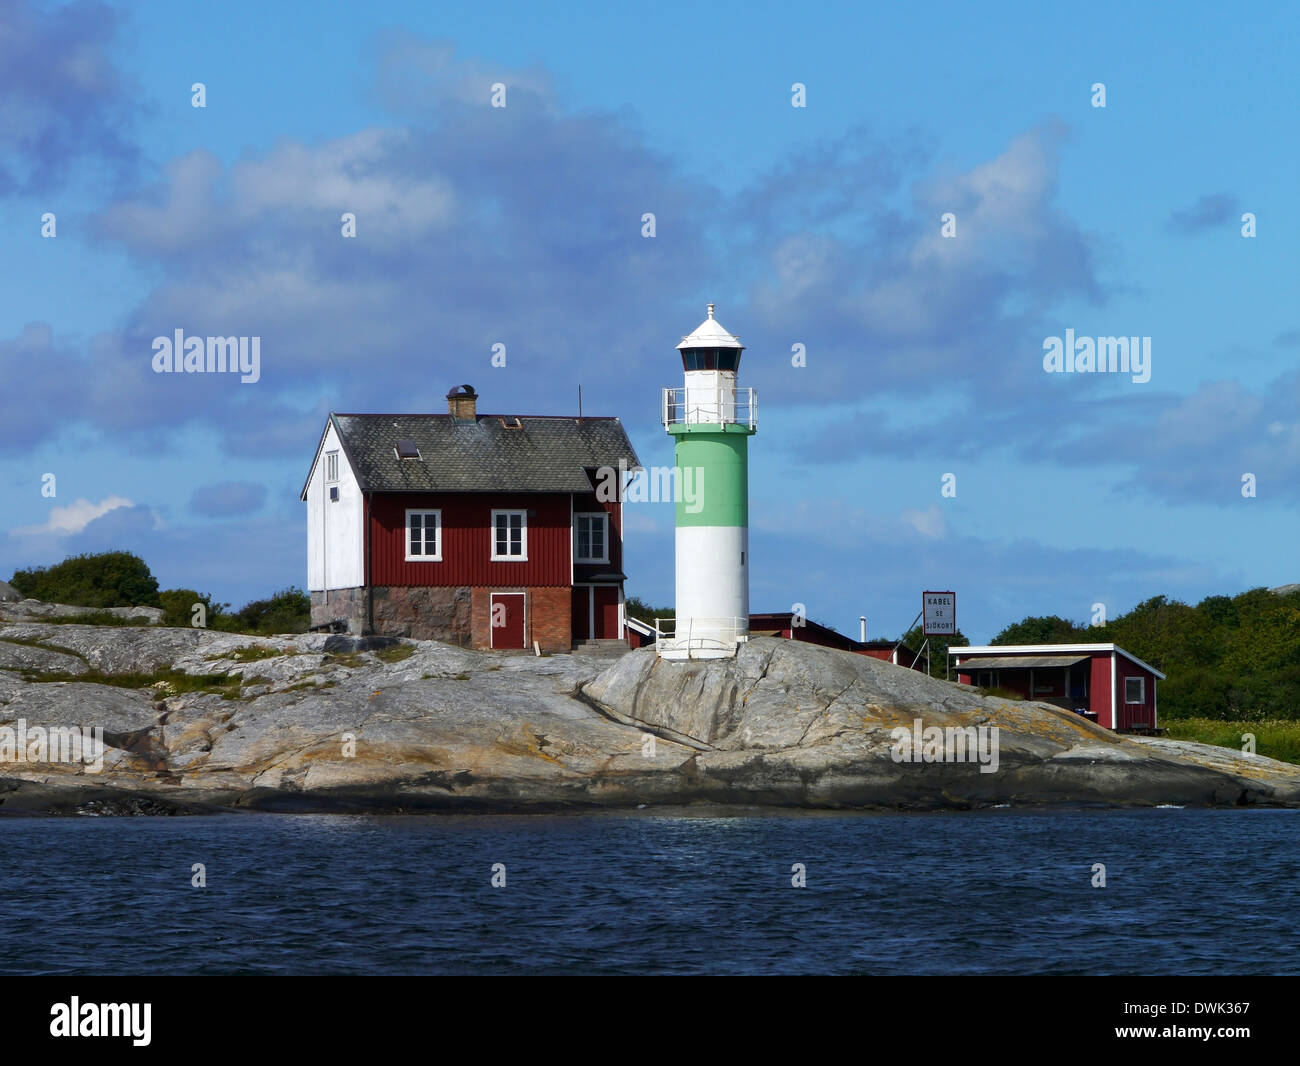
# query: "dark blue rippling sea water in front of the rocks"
996,892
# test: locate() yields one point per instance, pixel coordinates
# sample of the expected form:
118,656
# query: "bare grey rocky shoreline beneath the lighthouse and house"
198,722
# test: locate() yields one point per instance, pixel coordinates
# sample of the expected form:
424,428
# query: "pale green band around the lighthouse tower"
713,463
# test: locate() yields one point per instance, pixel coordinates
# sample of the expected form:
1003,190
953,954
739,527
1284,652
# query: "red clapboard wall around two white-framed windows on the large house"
467,540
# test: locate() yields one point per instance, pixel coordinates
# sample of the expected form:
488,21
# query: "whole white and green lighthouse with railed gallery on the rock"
710,421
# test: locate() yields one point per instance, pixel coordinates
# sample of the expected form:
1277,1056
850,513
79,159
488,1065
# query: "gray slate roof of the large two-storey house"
544,456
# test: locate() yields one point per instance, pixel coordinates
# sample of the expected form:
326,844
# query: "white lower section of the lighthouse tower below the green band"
713,593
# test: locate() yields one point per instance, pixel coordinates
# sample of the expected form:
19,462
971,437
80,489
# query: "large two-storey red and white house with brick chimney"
486,531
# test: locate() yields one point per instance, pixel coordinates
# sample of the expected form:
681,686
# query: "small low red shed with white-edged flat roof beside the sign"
1100,681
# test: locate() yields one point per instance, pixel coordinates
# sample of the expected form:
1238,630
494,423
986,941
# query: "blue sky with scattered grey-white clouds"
816,226
